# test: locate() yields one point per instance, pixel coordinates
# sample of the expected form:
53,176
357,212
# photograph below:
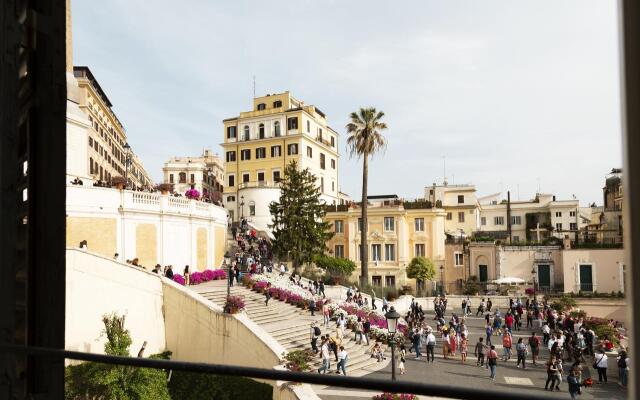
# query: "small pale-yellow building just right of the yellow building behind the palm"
460,204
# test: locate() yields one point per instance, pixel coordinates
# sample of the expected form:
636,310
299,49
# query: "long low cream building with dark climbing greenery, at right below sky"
549,217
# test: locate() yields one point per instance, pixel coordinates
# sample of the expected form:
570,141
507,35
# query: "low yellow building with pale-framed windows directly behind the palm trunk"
397,232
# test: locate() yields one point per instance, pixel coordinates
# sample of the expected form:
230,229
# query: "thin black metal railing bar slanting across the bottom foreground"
382,385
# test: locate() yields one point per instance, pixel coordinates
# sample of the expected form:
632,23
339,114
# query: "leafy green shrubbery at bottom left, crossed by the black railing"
94,380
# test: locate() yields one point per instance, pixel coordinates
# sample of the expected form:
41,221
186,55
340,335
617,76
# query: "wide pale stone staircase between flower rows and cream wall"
291,326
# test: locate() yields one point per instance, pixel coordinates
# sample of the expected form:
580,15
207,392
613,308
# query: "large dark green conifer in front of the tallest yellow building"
298,227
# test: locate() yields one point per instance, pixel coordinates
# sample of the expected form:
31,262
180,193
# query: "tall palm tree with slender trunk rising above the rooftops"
364,140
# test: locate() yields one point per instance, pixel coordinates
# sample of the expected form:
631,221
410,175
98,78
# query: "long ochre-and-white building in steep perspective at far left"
97,140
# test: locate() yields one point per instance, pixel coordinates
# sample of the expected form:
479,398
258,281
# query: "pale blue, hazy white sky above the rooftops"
520,96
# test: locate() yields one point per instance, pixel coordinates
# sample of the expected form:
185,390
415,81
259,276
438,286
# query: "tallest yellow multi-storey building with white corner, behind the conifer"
258,144
